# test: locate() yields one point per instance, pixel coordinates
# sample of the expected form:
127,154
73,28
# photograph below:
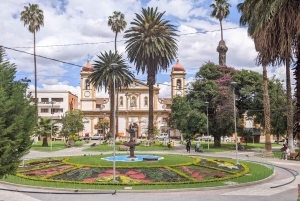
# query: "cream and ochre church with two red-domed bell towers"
133,105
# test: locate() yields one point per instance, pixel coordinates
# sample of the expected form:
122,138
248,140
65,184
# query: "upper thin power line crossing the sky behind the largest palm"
105,42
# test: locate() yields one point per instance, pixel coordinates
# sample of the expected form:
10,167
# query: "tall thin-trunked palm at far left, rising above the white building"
34,18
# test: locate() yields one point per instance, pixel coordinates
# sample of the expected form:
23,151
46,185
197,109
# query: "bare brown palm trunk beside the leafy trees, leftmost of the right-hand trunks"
267,130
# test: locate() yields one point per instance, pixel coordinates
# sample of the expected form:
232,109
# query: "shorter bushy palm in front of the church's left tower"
104,75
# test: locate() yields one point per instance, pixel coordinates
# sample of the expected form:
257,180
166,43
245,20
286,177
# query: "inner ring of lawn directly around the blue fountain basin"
96,160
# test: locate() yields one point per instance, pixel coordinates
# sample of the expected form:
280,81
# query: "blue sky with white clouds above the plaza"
84,23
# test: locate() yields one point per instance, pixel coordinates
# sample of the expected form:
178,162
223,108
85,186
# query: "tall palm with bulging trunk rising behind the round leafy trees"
221,11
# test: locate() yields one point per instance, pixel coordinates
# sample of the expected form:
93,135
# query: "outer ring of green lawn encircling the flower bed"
257,172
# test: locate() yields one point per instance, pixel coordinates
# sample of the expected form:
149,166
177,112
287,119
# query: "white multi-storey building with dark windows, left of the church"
54,103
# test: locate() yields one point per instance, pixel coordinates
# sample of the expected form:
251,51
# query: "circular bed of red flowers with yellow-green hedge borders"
201,170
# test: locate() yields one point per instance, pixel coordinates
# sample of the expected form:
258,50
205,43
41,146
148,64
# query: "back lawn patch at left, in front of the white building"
56,146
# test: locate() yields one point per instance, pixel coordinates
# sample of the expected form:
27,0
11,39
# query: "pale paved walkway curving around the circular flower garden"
257,192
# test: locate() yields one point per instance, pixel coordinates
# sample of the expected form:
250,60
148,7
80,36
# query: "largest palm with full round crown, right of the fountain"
152,46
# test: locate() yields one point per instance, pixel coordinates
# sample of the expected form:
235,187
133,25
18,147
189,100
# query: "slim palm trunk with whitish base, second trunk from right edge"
289,106
